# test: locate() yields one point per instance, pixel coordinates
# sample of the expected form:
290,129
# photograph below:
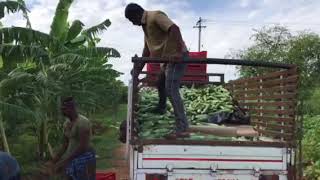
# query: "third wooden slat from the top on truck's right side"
288,88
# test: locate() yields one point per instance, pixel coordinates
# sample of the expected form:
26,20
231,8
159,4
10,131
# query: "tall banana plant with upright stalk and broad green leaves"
64,62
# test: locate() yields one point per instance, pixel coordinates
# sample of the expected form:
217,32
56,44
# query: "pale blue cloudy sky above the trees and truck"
230,23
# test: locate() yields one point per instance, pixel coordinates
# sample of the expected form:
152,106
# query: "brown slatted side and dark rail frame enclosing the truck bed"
270,99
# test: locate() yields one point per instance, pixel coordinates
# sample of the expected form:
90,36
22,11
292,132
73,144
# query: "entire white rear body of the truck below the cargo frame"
178,162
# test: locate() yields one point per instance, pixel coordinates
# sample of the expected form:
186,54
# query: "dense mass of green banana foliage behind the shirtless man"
38,69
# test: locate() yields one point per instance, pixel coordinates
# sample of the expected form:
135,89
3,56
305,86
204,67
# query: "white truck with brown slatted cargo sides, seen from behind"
271,153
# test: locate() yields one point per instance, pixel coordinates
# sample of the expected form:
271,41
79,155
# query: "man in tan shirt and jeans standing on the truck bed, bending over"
163,40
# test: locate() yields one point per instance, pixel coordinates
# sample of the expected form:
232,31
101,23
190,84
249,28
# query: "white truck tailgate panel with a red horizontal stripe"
212,157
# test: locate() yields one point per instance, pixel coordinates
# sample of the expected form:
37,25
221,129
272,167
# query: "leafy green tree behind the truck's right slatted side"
278,44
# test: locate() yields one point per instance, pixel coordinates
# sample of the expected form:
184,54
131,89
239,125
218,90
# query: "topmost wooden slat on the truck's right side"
273,75
